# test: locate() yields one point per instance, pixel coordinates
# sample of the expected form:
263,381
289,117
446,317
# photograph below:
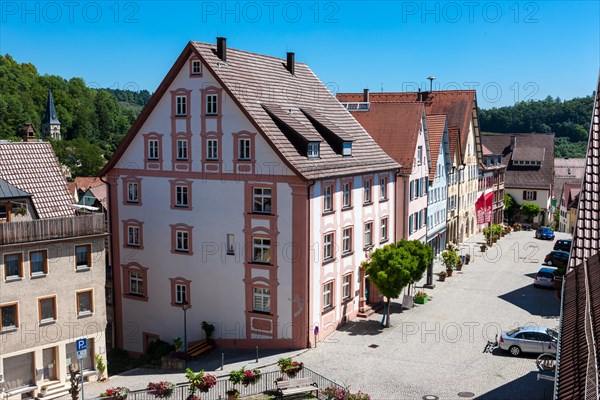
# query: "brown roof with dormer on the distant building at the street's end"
518,176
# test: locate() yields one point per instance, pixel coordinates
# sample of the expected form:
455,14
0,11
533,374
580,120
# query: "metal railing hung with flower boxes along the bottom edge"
266,383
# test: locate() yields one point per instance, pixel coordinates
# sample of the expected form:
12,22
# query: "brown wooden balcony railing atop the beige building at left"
51,228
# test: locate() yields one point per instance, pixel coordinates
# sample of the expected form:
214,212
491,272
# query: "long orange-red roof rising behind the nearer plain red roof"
459,107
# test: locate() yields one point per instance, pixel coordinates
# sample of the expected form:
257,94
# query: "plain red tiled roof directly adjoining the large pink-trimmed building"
395,127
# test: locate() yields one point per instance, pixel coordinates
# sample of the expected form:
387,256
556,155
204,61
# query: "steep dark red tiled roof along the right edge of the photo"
578,367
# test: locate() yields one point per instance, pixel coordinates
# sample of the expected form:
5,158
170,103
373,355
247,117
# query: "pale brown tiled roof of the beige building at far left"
34,168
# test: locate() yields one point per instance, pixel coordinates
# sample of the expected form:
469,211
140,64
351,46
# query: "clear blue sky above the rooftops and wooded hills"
508,51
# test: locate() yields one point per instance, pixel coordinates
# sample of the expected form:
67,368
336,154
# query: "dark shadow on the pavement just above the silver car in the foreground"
535,301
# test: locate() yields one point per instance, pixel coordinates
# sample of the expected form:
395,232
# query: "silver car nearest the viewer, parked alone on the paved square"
529,339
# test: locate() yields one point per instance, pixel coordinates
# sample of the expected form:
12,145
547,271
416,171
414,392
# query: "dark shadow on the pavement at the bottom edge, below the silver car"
526,387
